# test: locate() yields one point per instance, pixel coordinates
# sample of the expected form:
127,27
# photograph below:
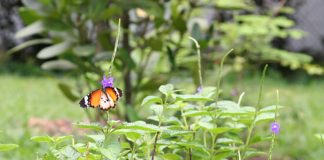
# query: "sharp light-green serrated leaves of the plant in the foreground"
180,125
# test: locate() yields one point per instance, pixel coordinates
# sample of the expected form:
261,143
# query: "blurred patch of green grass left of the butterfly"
22,98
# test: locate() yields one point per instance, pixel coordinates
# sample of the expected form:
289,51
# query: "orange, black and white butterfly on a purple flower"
104,98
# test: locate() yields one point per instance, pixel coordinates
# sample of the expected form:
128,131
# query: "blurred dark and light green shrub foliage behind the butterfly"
154,40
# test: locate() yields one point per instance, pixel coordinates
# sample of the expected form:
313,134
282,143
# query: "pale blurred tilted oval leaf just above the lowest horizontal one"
54,50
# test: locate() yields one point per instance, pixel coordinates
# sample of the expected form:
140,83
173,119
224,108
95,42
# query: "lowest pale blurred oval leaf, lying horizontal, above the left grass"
60,64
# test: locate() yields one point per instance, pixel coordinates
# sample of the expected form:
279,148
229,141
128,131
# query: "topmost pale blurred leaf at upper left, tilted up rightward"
34,28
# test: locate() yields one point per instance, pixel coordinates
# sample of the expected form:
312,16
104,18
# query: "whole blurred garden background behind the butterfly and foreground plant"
53,52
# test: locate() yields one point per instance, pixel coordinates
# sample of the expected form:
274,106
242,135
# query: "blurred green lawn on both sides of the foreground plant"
26,97
